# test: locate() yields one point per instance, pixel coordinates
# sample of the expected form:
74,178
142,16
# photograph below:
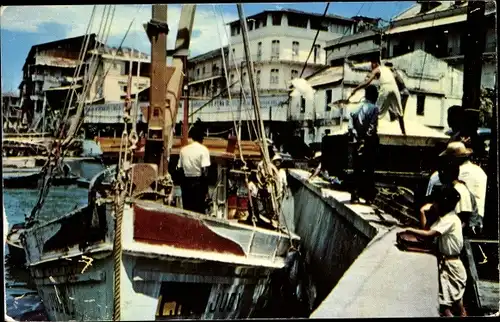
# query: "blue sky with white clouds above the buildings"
25,26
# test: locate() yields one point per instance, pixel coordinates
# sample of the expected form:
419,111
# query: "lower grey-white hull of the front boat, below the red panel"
150,290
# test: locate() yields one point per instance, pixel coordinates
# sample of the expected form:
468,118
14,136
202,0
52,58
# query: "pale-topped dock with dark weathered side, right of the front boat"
356,267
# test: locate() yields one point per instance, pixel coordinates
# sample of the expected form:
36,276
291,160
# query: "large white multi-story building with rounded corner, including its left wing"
280,42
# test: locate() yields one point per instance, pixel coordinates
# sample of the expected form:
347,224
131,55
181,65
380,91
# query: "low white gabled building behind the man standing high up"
433,90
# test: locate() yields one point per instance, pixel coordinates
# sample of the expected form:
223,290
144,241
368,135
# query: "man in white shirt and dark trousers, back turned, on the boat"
194,160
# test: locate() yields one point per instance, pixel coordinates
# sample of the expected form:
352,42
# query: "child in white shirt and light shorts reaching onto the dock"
448,230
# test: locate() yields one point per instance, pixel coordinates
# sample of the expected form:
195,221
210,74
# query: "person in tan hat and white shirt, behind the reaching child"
472,175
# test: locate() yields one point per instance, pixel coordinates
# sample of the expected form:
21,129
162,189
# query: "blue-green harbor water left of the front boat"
22,301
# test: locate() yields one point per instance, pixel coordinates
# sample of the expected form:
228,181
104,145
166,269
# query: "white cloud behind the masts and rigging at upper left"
74,20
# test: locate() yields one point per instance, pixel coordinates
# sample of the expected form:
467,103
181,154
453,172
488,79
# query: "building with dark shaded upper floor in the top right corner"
440,28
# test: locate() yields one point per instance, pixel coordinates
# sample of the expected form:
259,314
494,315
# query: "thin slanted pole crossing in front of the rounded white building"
253,90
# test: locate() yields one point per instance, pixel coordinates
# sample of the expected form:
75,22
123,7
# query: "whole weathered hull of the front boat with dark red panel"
169,255
